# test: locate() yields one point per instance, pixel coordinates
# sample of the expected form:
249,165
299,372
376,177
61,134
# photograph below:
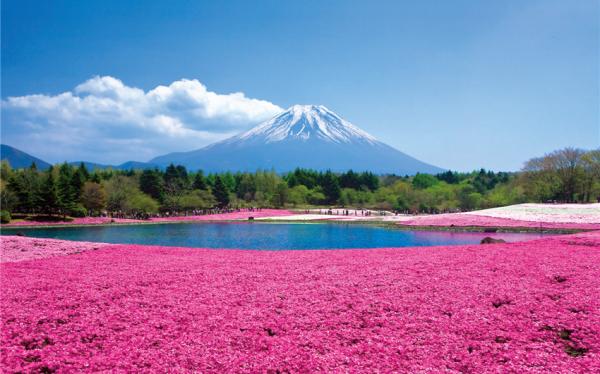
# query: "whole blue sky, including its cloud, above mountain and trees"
459,84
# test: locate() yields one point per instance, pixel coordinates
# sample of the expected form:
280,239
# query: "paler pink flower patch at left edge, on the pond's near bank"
19,248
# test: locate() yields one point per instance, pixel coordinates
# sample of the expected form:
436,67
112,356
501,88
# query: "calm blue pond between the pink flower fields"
266,236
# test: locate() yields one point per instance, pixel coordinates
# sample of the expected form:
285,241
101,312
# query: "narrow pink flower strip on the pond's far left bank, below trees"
243,215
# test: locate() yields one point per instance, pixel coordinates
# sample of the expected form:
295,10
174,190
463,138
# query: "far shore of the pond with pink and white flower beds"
523,218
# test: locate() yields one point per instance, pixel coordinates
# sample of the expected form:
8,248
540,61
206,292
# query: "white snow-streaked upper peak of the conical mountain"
304,123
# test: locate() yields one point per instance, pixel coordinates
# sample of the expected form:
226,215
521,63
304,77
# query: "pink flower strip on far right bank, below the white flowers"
472,220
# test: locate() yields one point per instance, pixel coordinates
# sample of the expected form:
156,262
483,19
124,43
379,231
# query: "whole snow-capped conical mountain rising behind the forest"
306,136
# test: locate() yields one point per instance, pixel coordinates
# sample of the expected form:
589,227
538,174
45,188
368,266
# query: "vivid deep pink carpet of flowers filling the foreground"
521,307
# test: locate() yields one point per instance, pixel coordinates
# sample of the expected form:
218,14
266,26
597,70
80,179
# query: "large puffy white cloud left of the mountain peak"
103,120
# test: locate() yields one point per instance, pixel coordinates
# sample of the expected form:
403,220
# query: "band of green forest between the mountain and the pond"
567,175
